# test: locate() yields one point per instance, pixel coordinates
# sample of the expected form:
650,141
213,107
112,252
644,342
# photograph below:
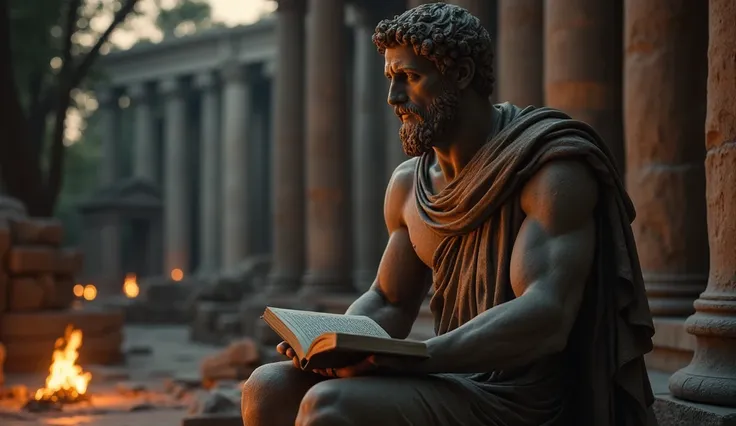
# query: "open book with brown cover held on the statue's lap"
323,340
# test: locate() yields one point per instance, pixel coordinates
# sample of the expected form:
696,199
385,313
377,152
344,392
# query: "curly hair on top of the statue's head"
442,33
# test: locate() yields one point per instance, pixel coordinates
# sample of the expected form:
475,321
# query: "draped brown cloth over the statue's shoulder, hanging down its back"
479,216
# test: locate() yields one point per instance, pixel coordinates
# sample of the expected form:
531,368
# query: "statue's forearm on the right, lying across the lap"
508,335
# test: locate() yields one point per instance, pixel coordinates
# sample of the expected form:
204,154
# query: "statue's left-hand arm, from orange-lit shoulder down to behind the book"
401,283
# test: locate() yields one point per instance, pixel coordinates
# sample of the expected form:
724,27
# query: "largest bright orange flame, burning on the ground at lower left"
66,381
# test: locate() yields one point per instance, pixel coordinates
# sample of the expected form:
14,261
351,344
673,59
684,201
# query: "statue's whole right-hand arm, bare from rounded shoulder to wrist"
550,264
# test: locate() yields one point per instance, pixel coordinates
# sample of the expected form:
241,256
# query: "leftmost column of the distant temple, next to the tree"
109,168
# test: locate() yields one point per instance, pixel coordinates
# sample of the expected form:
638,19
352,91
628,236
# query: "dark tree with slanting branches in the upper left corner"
47,50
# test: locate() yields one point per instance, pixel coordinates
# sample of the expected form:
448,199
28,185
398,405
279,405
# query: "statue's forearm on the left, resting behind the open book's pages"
393,318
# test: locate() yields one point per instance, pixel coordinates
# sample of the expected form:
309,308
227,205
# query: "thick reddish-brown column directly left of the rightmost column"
664,103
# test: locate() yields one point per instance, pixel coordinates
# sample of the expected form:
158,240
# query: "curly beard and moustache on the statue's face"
420,136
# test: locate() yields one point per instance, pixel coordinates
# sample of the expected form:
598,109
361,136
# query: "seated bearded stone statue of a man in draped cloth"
521,215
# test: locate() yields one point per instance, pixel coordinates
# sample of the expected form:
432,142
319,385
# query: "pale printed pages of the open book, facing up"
307,326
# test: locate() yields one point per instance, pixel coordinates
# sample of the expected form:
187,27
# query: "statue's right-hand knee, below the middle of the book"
323,404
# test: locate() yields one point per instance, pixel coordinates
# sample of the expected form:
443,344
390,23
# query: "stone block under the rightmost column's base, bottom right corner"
671,411
